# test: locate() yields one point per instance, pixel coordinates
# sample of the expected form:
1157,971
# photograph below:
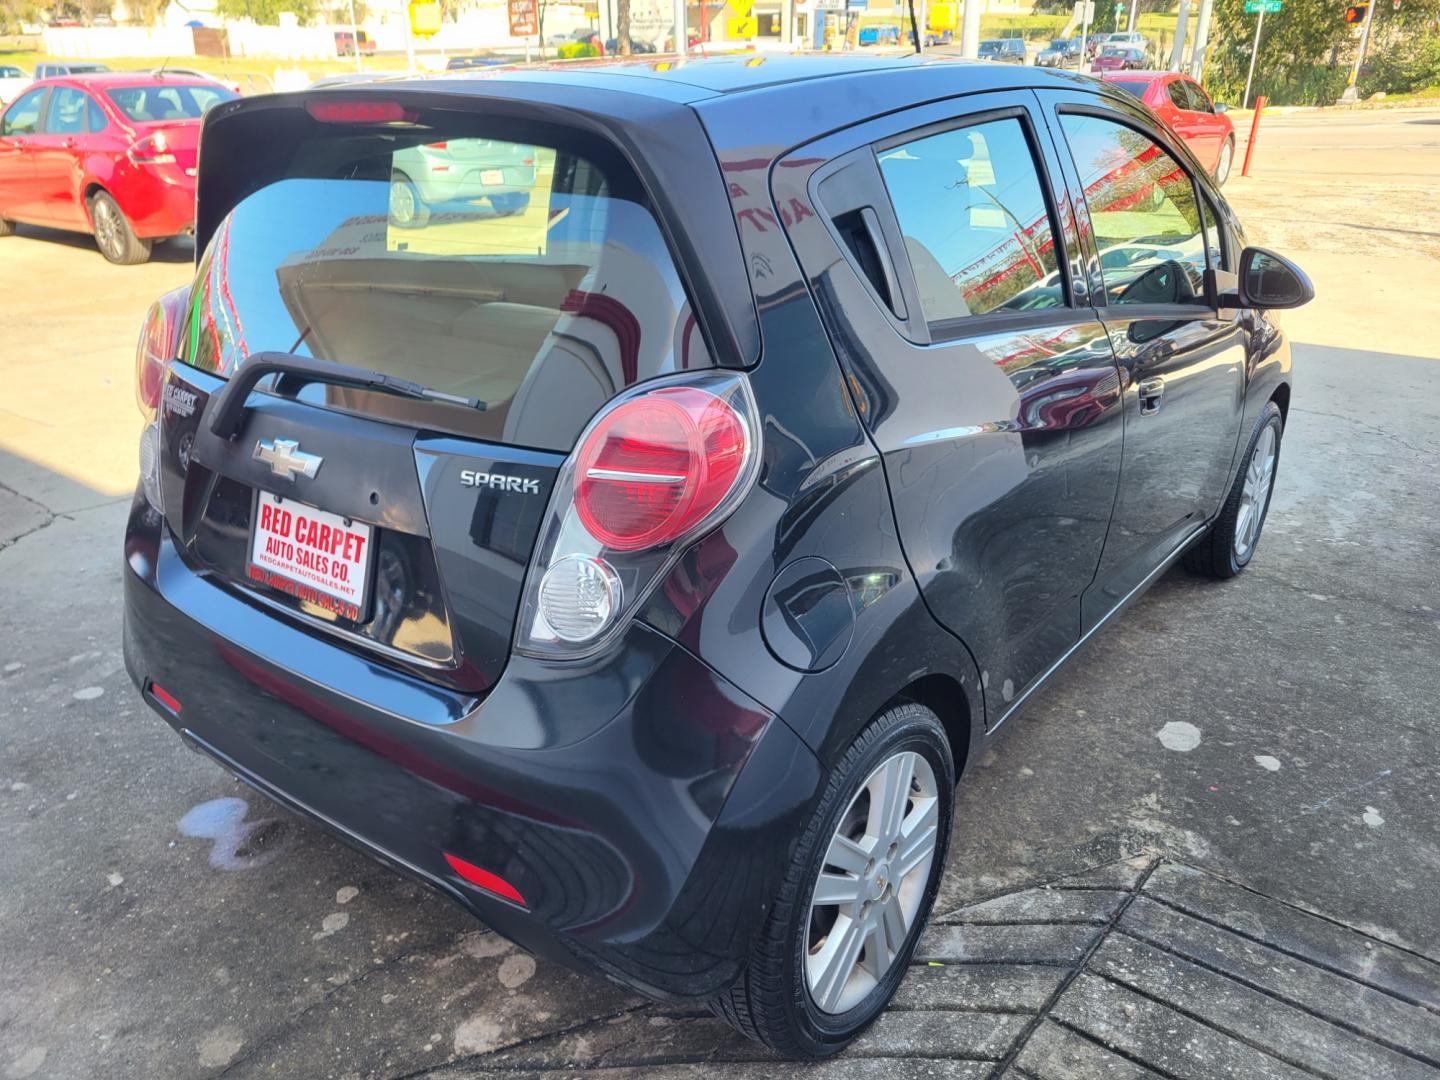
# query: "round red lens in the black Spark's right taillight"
656,466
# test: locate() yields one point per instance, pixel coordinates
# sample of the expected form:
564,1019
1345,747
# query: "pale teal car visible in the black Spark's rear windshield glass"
460,171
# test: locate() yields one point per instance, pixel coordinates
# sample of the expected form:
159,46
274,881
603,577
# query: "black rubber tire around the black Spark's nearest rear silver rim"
773,1003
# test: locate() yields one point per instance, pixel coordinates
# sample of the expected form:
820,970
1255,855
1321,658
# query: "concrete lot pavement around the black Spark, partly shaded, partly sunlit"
1212,849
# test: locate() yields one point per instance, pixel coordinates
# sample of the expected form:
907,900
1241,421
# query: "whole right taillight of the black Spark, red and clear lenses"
662,466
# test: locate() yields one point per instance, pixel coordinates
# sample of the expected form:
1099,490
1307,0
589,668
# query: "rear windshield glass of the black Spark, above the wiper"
532,277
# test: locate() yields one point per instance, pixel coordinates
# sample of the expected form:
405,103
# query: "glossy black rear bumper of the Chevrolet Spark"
647,837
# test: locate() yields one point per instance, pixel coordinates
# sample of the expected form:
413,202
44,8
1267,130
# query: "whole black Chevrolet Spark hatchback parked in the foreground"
640,561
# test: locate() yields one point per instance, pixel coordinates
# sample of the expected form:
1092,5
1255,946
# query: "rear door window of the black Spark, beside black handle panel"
976,221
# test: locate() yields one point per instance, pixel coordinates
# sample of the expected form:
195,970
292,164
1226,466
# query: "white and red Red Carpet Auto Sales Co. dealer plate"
313,555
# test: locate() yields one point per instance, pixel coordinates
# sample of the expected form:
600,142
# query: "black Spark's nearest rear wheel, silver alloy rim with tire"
850,912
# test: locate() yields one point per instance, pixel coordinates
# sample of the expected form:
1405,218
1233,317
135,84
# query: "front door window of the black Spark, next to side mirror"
1144,214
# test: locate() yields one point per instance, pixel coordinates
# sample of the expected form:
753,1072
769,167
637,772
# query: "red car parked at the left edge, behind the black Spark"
109,155
